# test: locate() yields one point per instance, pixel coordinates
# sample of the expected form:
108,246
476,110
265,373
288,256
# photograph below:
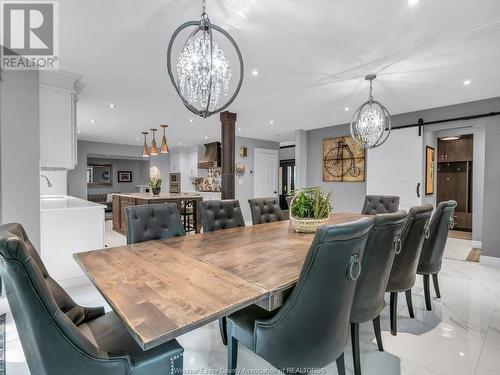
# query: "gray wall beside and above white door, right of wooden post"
245,190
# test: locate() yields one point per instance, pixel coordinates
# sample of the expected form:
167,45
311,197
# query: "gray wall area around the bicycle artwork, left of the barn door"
347,196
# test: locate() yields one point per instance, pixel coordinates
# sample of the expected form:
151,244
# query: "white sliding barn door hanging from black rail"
396,168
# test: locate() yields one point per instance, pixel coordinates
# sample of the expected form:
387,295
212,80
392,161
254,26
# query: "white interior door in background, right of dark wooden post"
266,165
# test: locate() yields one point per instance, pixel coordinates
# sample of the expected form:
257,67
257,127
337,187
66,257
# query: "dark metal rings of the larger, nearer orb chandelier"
209,27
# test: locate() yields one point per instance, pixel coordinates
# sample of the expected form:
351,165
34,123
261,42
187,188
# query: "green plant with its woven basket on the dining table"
309,209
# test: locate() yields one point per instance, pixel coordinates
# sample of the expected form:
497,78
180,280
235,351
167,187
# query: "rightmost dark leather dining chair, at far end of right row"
431,257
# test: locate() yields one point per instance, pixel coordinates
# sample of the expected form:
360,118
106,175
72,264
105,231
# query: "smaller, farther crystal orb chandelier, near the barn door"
371,122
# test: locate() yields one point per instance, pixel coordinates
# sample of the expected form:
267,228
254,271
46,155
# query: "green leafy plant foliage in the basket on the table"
311,203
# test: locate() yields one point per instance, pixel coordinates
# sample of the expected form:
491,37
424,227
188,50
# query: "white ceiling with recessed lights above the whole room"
312,57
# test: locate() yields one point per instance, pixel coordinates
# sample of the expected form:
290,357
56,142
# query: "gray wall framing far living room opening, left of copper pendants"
77,178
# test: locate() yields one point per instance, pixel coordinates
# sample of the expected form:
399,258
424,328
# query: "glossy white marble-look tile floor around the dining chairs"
460,336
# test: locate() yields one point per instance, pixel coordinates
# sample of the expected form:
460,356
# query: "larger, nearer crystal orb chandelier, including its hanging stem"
203,70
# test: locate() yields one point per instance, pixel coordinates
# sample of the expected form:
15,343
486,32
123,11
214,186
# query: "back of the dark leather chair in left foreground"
46,317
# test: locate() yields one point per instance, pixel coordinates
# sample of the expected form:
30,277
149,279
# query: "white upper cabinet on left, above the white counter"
58,133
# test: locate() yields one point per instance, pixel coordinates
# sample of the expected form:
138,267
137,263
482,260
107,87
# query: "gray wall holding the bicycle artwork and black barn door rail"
350,196
